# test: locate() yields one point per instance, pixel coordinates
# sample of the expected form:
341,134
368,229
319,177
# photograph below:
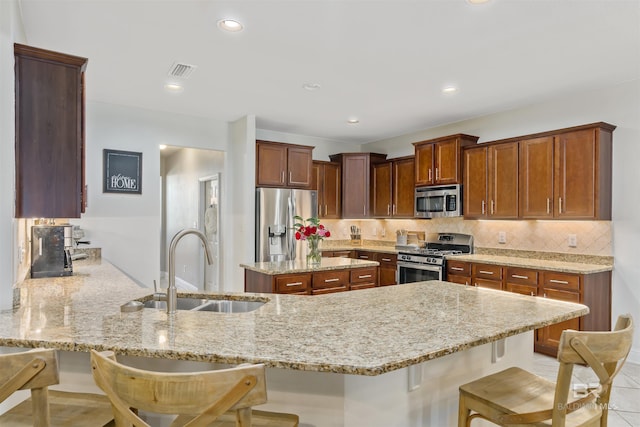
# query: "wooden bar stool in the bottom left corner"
36,370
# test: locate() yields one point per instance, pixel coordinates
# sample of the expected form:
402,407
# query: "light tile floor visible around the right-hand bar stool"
625,396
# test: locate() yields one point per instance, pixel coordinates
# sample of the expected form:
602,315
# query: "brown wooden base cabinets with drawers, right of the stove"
592,290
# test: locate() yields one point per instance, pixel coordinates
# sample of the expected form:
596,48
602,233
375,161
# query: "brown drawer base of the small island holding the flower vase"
321,282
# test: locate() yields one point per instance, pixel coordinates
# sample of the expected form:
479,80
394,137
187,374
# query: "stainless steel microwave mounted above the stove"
438,201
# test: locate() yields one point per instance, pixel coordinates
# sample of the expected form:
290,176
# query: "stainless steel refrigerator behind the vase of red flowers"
275,209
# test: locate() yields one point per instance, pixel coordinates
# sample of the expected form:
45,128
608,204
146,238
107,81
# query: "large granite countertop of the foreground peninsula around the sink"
364,332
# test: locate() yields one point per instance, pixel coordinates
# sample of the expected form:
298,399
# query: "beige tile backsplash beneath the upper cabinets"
591,237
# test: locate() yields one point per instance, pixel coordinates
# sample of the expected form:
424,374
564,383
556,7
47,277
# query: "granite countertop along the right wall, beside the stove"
537,263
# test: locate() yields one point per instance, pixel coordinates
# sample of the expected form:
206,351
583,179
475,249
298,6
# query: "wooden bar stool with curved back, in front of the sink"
206,398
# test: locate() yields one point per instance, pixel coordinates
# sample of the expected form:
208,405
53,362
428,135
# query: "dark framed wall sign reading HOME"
122,172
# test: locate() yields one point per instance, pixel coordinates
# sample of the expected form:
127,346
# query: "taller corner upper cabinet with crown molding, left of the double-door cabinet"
356,182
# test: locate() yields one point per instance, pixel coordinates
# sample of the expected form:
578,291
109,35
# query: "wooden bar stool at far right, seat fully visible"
515,397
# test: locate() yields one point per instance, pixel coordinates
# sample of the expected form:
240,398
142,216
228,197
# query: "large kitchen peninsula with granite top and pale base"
378,357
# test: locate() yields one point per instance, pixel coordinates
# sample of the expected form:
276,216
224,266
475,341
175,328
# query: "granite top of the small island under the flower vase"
299,266
